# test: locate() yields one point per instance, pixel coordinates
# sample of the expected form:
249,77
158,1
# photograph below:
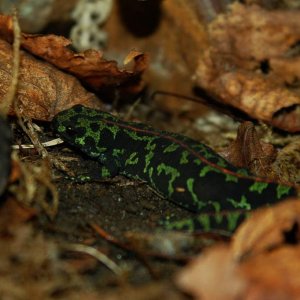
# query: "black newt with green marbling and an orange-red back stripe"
187,172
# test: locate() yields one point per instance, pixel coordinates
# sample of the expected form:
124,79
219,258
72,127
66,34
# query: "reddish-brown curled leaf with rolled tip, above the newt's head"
89,66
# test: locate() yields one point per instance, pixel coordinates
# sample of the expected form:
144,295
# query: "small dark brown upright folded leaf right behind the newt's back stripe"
247,151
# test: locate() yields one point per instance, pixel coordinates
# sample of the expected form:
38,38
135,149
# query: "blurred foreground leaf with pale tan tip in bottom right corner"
215,274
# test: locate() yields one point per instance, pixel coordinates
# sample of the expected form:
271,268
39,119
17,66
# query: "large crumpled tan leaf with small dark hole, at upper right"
237,67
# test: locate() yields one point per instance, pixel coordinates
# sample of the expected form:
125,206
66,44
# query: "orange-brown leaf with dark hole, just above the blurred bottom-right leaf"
267,228
